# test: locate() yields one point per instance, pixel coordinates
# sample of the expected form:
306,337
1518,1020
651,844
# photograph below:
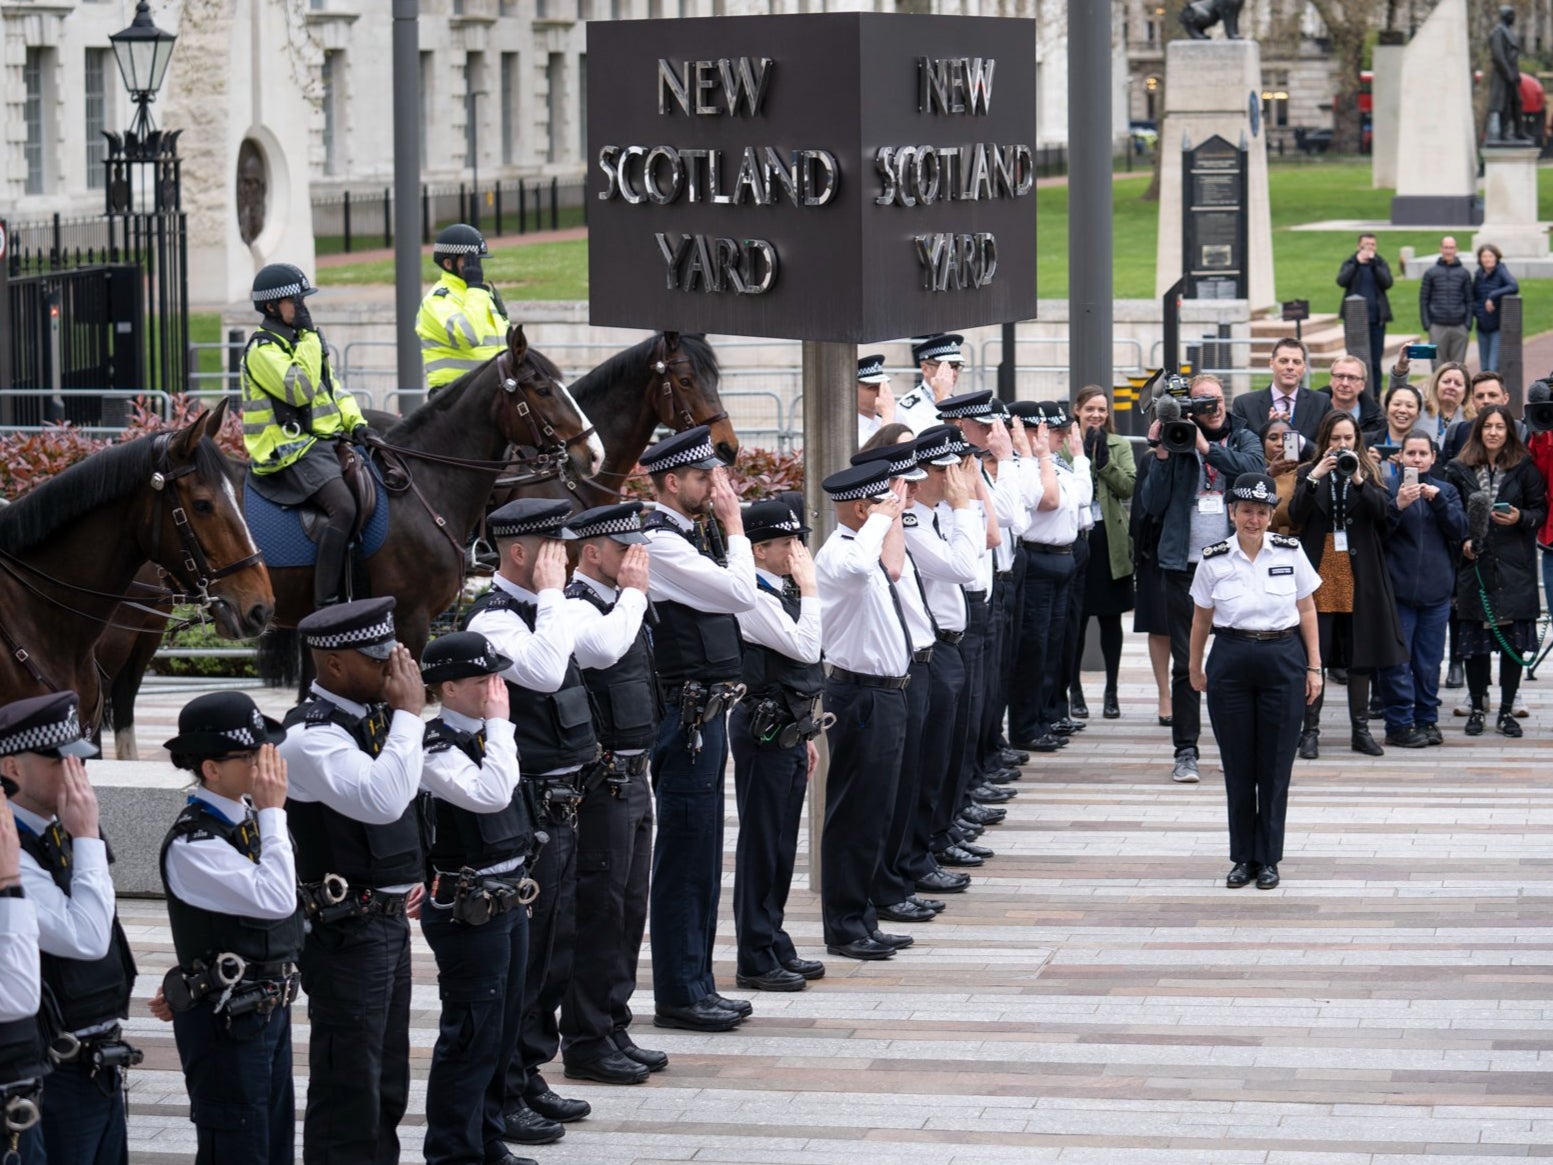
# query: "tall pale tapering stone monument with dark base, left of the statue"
1436,145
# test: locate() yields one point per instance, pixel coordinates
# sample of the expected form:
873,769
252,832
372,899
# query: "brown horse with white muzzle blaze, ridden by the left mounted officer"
453,448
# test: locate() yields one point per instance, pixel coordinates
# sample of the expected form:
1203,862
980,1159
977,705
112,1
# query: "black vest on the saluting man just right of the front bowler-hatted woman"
332,843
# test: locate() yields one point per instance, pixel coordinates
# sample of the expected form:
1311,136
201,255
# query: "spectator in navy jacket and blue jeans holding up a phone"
1425,529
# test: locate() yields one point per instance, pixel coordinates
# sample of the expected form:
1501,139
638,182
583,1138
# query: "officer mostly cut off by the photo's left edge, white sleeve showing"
23,1060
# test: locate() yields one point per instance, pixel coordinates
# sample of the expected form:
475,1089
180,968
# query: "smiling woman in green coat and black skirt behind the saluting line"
1108,588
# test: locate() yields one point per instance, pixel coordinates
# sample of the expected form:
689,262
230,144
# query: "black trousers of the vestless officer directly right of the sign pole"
866,743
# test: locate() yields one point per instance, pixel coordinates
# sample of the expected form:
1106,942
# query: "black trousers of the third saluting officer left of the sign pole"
614,868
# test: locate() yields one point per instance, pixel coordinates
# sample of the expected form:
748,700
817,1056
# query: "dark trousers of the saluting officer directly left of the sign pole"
768,787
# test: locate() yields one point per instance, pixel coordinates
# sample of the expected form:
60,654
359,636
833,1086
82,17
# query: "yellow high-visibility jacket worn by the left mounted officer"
290,398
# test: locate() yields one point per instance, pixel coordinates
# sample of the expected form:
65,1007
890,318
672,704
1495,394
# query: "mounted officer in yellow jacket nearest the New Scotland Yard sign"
464,322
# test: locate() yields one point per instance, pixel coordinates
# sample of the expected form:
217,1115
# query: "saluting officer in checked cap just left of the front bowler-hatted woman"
86,961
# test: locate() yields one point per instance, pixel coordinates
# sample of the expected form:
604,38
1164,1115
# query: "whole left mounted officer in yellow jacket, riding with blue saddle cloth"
293,417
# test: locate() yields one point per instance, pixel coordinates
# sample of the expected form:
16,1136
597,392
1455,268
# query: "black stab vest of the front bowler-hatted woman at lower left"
201,934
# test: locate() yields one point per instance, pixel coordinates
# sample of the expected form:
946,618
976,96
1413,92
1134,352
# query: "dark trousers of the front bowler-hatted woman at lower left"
240,1083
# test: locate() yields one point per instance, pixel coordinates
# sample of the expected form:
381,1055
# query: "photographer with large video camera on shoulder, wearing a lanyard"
1198,459
